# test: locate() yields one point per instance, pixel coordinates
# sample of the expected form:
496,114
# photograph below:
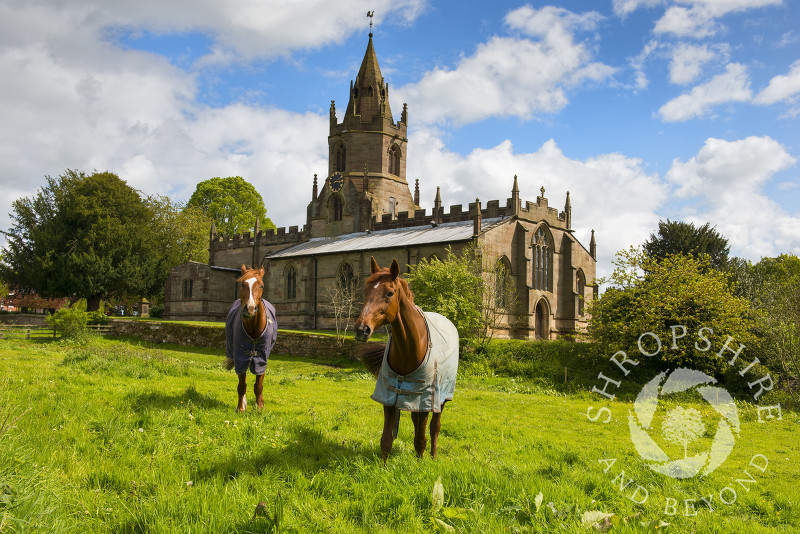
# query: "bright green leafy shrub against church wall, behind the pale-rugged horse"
451,287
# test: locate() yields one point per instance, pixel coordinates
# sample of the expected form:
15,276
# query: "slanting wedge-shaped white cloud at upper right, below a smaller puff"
732,86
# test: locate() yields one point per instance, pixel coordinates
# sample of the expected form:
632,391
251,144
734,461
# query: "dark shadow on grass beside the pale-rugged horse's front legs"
310,452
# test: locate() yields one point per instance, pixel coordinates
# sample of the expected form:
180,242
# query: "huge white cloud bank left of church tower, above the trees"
69,99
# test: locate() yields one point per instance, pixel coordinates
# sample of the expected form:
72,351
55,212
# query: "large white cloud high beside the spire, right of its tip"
509,76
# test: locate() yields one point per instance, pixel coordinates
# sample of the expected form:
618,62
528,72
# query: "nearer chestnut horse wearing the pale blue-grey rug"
416,370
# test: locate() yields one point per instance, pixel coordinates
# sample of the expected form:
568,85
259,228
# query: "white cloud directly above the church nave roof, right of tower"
610,193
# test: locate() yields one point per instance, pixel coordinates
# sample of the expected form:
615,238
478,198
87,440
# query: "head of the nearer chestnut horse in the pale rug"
382,293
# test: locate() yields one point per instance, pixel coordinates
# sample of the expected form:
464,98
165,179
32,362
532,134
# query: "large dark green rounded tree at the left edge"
80,235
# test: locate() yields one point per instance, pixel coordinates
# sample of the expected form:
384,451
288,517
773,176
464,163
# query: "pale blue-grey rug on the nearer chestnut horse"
433,382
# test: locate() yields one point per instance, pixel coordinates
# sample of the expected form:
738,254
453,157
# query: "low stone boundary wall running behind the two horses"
213,336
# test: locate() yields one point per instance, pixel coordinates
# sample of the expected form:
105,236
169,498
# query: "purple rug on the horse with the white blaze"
245,351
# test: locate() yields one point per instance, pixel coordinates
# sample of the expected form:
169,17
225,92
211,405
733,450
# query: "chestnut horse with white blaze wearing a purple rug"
250,333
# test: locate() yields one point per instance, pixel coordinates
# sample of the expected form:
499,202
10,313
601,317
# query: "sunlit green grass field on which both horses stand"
115,437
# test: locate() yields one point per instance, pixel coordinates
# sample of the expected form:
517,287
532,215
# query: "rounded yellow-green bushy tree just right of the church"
650,295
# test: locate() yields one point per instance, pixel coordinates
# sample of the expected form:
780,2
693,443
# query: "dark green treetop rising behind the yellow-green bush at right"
677,237
